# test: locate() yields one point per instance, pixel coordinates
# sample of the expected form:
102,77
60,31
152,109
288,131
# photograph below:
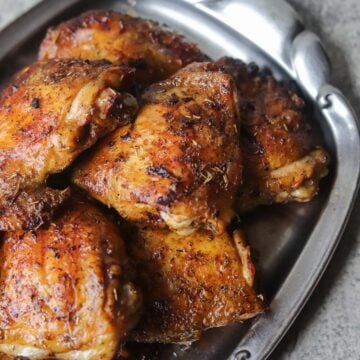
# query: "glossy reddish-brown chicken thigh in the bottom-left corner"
63,288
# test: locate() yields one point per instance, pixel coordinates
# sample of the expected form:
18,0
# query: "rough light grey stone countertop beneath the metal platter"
329,326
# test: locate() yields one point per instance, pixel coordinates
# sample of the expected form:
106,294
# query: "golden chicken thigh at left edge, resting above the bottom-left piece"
51,112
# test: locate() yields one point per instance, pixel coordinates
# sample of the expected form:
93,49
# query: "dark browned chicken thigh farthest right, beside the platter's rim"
280,162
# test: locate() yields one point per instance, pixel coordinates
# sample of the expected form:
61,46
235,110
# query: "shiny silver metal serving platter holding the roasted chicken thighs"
295,241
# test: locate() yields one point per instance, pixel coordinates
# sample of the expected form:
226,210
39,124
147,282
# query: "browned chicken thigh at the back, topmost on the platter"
155,52
